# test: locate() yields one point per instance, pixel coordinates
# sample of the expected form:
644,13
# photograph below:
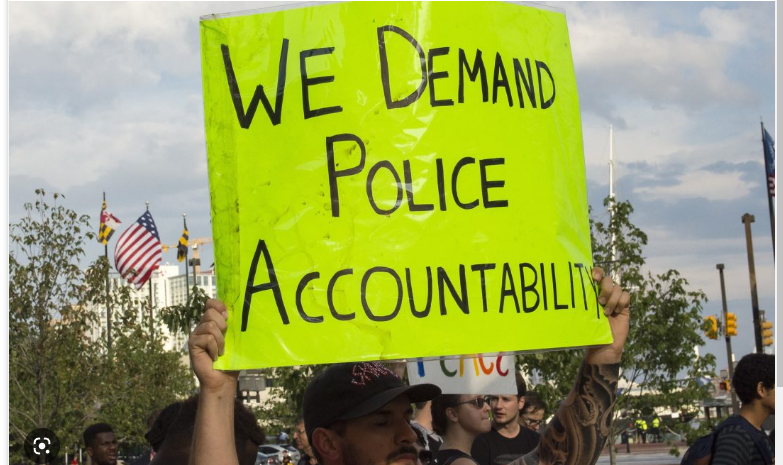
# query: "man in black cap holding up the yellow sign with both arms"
368,422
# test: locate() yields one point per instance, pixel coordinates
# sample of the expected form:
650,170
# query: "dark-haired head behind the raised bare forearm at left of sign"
172,435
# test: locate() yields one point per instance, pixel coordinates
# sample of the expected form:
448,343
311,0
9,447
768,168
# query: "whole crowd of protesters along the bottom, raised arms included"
363,413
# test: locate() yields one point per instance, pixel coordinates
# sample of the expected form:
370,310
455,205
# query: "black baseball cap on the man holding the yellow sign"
351,390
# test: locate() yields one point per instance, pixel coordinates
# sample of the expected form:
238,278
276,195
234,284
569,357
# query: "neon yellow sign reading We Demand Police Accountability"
397,180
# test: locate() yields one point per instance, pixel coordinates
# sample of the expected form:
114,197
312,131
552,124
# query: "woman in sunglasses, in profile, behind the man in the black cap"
459,419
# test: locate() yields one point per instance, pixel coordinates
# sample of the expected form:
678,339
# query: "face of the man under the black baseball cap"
383,437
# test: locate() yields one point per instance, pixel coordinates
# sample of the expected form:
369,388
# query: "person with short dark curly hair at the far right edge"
743,442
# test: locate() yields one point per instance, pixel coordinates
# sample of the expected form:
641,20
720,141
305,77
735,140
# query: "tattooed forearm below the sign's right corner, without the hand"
581,425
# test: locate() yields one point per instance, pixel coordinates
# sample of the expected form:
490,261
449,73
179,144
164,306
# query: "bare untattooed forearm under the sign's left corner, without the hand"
213,437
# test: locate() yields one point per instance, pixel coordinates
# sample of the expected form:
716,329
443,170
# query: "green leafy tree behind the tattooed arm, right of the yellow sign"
659,364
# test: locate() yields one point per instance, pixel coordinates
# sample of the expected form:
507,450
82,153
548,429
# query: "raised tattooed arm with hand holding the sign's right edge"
577,433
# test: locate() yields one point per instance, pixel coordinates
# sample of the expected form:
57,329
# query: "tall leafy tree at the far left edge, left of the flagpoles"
51,364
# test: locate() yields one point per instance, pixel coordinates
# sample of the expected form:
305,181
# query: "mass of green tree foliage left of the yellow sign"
59,378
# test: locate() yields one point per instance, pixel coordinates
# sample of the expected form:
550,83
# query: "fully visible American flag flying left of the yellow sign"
138,251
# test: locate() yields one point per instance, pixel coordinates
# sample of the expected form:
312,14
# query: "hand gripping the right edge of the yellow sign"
616,304
